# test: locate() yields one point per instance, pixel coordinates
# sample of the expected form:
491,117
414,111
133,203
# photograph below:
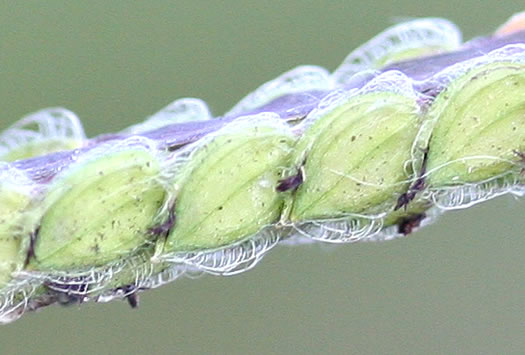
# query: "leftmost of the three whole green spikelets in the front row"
99,211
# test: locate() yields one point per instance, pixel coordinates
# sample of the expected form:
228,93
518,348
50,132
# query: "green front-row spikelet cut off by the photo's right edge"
480,126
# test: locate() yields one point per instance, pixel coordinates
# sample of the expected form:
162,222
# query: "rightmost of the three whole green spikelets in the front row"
355,157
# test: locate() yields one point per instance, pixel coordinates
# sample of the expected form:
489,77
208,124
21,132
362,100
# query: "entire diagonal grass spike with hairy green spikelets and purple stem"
372,160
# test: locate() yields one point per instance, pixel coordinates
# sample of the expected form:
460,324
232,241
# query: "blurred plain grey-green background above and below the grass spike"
457,286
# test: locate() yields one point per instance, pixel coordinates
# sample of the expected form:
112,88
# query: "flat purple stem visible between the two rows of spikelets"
291,106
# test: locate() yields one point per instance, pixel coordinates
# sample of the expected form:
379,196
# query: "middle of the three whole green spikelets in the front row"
229,189
